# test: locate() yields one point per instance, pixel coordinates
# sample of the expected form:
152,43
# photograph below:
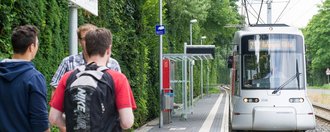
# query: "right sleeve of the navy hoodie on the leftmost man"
38,113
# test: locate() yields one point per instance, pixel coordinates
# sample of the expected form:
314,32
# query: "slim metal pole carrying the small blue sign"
160,65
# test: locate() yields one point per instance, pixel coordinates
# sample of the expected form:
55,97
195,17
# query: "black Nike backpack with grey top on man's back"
89,101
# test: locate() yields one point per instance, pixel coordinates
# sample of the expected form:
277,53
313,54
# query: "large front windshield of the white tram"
271,61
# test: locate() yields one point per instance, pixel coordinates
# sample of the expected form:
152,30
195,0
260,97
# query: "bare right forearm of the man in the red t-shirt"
126,117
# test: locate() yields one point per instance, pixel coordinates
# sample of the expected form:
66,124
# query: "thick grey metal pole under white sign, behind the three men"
73,25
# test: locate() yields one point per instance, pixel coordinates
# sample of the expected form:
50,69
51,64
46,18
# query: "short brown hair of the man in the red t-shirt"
97,41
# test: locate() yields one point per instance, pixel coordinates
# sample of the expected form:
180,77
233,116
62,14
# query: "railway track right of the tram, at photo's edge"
322,112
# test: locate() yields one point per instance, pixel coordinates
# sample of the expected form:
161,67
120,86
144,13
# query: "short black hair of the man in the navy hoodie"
22,37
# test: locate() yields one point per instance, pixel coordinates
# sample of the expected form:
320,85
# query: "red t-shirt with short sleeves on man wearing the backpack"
123,92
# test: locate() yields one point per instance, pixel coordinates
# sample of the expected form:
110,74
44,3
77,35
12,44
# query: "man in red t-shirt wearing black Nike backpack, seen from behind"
93,97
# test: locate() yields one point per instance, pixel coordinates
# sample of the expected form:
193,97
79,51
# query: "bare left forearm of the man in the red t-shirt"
56,118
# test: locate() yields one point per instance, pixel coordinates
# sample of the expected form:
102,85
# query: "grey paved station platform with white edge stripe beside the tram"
209,114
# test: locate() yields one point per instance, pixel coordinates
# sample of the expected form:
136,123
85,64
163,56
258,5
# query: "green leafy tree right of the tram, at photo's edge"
317,42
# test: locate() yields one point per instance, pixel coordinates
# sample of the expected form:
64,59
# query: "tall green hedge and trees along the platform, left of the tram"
135,45
